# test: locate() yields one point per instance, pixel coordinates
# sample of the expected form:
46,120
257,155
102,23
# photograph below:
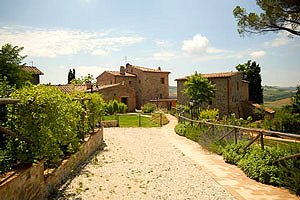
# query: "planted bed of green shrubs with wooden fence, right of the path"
270,160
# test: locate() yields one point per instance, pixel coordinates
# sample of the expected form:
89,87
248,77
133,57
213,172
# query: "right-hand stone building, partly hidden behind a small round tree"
229,92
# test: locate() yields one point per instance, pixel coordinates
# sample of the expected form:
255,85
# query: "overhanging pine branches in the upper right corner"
277,15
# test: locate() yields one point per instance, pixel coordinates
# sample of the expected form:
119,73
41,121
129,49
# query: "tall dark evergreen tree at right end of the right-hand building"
252,74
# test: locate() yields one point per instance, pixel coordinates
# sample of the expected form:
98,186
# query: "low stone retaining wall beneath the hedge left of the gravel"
30,183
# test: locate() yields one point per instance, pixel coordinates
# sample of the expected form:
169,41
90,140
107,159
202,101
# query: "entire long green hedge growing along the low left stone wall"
49,124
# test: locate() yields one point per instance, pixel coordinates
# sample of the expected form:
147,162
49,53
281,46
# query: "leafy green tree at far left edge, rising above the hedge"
11,66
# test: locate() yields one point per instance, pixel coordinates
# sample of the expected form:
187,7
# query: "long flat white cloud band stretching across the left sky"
54,42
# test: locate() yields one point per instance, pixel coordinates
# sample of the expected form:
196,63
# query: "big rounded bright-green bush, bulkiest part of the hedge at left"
49,119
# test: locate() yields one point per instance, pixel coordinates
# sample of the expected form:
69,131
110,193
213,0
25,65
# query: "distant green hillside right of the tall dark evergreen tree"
274,93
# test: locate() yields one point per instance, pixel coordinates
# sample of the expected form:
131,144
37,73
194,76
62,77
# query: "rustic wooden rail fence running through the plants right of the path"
256,134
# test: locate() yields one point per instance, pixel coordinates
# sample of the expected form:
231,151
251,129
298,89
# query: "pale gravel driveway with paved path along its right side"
156,163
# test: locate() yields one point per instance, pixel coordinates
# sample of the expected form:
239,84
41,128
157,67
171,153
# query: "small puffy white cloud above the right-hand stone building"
199,45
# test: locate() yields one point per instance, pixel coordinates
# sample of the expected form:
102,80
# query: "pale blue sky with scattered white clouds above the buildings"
180,36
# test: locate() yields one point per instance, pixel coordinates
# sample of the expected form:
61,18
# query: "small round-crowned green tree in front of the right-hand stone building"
199,89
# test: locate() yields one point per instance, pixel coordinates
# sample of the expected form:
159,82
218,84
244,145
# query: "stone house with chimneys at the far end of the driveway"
134,85
